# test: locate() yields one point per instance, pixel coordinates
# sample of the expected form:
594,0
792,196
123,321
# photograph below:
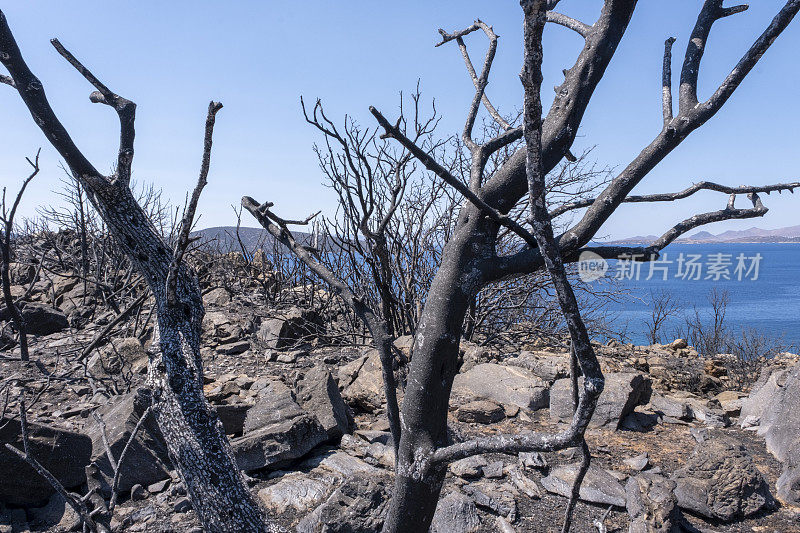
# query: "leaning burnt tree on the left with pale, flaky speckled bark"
194,435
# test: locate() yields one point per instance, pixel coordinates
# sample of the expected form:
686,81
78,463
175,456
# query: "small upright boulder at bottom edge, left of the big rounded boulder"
652,505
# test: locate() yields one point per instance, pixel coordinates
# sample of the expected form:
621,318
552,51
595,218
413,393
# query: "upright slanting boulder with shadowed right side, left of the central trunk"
318,394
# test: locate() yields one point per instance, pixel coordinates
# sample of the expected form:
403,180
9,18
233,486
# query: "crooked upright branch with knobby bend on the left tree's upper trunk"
126,110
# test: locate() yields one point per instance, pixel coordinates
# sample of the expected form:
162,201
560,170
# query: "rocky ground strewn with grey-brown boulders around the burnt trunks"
675,441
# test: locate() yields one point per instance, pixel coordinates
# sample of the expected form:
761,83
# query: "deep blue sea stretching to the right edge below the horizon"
762,281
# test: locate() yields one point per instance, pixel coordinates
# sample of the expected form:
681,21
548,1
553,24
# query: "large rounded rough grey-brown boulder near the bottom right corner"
720,481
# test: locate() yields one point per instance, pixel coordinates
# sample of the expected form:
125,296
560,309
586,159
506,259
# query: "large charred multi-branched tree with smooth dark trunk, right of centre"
470,260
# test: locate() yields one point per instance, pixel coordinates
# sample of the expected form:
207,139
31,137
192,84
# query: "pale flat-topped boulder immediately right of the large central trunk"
502,384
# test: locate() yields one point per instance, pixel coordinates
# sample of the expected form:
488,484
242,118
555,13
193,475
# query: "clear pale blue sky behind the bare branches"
258,58
